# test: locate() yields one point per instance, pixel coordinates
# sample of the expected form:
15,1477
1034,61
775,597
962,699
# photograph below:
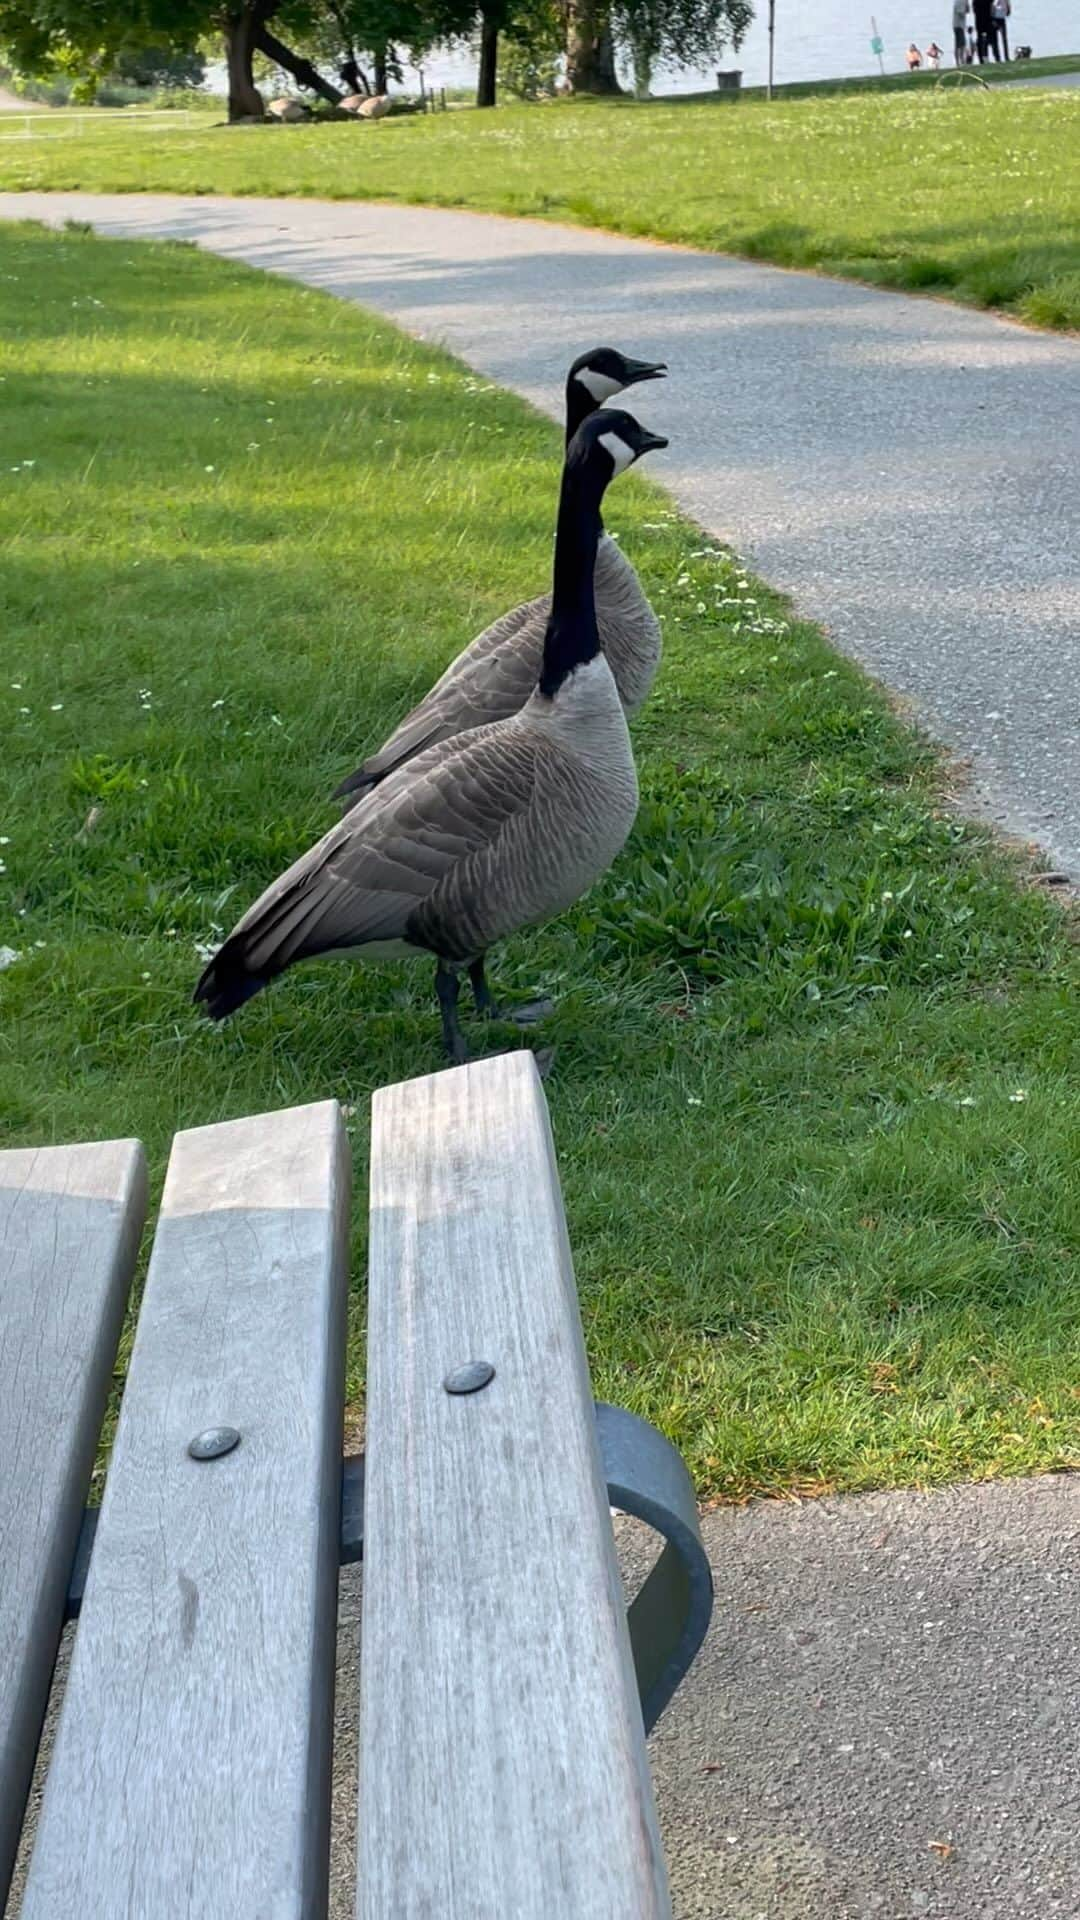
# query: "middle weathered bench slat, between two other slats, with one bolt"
191,1767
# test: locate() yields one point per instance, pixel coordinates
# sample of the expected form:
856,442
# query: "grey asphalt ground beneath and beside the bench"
881,1725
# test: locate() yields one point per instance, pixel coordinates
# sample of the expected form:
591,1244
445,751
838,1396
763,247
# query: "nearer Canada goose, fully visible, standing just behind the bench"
481,834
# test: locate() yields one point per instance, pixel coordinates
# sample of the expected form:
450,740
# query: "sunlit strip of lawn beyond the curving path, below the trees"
966,193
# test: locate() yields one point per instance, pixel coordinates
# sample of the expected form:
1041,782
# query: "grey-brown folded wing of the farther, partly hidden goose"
491,681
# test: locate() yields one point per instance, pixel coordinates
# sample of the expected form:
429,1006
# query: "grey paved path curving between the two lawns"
904,468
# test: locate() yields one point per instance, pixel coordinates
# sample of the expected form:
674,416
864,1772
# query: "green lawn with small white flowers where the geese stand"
814,1093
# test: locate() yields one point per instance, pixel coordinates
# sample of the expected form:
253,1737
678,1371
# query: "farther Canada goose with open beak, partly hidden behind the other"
497,673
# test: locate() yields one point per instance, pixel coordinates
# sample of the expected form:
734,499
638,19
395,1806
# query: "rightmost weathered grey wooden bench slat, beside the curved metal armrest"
503,1754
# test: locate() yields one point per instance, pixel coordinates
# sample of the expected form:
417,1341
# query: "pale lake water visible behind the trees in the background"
822,39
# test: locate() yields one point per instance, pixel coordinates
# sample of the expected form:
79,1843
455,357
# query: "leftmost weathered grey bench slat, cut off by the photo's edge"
70,1222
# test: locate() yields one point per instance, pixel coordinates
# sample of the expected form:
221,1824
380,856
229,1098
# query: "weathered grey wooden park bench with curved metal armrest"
504,1691
